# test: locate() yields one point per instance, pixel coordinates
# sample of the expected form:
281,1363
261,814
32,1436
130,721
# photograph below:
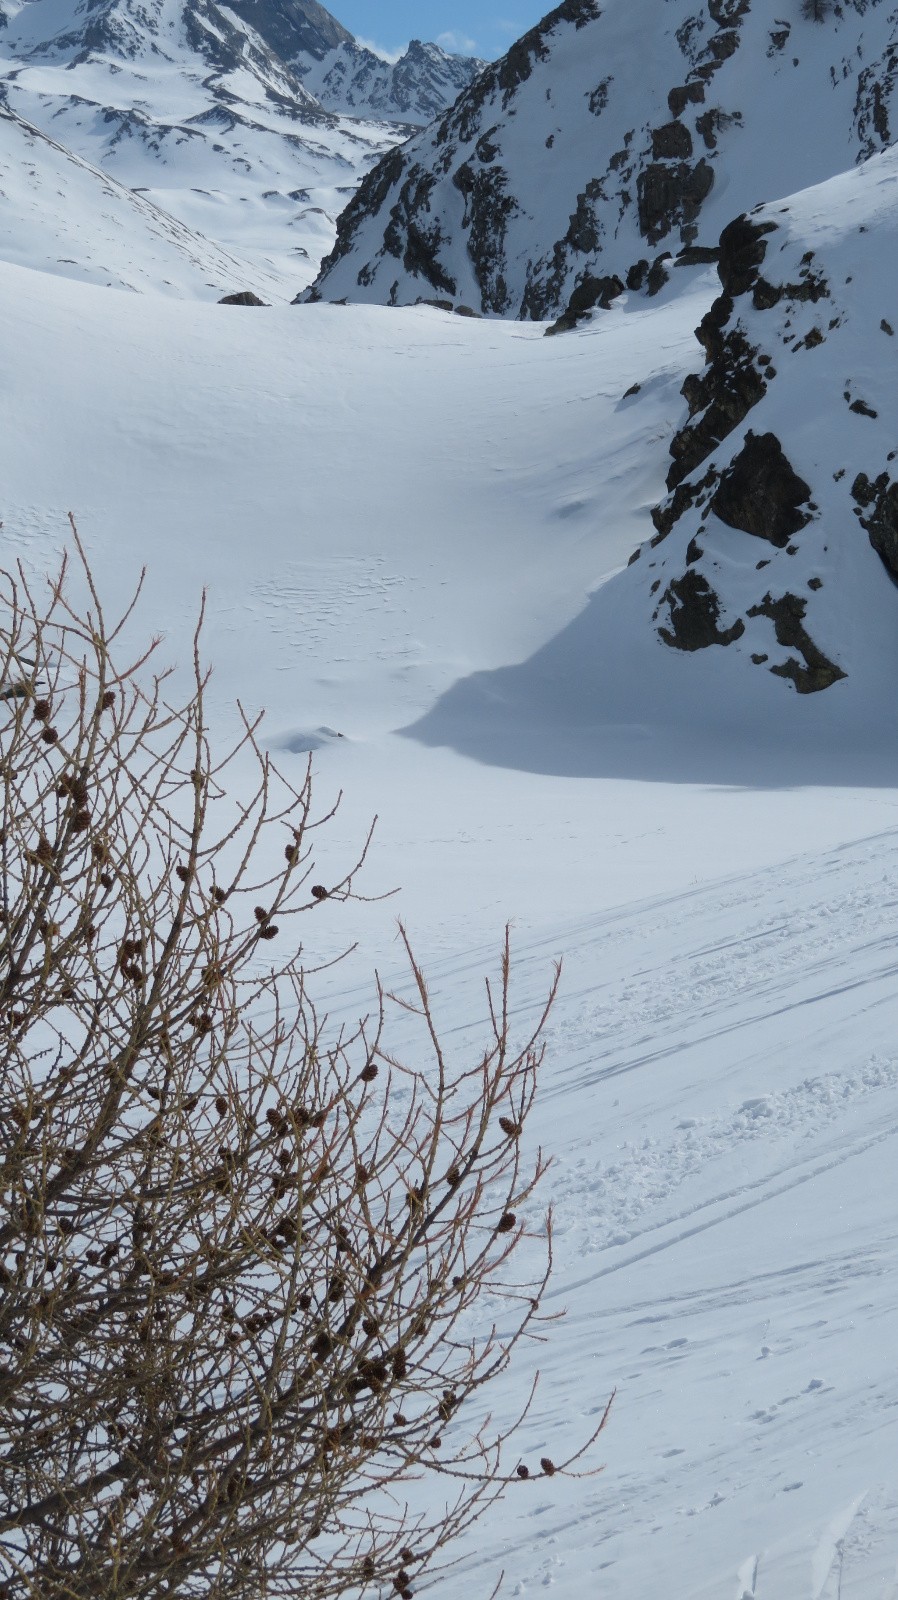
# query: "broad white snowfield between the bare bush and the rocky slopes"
388,505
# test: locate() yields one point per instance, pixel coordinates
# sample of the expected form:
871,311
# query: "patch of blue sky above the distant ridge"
483,28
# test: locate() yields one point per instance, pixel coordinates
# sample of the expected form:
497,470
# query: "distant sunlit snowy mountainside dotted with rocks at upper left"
191,106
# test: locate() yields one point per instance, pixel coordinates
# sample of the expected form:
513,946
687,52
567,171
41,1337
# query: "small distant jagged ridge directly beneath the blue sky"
414,89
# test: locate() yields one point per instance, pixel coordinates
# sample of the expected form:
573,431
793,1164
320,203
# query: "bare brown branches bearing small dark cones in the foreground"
241,1254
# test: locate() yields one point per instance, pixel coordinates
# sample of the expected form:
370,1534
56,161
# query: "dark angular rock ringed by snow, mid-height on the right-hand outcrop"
761,494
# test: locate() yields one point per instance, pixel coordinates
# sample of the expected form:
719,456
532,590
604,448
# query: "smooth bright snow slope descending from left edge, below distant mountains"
62,215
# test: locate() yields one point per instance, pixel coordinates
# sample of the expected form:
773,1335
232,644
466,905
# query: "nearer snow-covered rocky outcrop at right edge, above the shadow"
784,506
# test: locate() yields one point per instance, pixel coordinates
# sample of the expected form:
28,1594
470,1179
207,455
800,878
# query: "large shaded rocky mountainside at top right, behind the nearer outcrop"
612,140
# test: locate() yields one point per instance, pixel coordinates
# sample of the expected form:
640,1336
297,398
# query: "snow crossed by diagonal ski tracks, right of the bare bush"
737,1366
